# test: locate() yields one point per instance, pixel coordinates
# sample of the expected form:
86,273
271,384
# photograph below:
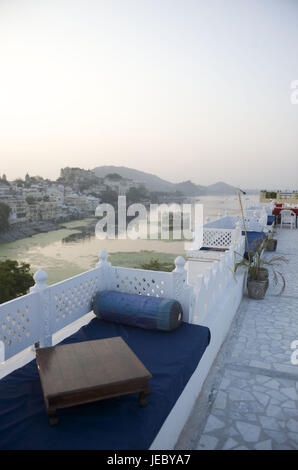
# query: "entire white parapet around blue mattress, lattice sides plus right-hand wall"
50,312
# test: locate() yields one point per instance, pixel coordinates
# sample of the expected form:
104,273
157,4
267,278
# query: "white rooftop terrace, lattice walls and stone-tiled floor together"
244,391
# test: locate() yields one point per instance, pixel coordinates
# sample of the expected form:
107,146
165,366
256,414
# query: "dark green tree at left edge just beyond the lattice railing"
15,279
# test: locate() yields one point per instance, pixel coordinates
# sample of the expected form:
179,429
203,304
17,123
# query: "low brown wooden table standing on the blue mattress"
78,373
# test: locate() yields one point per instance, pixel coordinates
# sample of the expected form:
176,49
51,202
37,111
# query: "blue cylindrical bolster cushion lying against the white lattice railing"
153,313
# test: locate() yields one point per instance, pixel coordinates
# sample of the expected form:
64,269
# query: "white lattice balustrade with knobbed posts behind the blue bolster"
35,317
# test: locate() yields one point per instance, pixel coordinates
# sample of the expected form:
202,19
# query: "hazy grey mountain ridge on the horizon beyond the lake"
155,183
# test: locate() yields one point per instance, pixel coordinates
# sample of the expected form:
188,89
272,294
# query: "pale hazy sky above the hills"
184,89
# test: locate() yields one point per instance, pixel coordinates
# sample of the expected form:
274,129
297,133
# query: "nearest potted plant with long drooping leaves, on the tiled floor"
258,272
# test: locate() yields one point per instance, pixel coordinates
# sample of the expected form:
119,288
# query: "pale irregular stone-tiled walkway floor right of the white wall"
250,397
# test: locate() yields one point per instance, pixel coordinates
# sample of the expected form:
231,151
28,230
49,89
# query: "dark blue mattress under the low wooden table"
112,424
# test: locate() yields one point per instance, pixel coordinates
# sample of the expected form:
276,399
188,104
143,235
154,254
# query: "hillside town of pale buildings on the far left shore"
76,193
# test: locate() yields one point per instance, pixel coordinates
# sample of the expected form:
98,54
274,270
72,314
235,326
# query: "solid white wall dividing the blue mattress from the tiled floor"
216,297
